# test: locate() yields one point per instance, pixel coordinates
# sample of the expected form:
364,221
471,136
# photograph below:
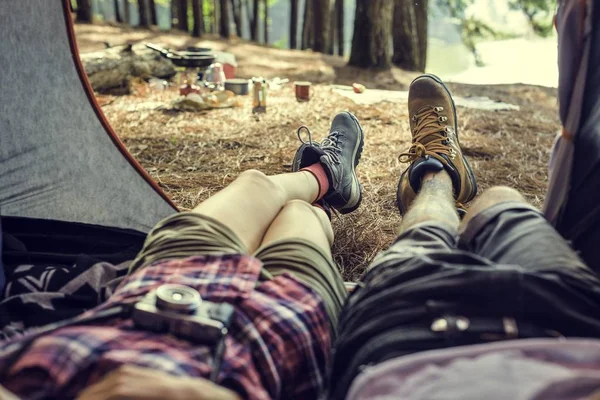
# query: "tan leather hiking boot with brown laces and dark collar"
435,144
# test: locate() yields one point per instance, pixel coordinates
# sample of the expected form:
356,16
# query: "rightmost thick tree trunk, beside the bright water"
410,35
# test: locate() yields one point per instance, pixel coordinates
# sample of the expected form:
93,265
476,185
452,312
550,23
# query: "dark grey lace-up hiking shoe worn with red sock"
339,155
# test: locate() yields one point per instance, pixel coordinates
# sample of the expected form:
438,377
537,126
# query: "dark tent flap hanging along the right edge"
573,200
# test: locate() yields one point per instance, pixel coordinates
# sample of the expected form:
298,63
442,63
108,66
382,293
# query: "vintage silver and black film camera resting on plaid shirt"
180,311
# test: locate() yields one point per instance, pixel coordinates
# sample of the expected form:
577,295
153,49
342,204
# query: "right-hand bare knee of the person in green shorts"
314,227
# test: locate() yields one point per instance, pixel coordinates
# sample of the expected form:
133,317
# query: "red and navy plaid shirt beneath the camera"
277,346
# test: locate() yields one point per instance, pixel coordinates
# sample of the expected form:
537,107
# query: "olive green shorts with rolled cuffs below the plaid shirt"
190,234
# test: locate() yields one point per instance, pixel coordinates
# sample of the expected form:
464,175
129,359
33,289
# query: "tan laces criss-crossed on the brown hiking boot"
430,125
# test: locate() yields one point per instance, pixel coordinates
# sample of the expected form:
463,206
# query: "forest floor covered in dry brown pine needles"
192,155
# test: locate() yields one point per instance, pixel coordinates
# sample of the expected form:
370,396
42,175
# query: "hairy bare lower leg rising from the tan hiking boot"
435,202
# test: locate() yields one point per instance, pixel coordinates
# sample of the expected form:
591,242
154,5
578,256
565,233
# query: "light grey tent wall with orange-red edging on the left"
59,158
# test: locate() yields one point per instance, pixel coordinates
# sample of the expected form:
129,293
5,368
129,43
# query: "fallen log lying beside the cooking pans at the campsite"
113,68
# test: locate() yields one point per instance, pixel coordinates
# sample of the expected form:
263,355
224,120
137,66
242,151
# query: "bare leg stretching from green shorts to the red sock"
249,204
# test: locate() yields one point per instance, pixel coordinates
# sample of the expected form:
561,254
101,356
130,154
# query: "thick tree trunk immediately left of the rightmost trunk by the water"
372,34
